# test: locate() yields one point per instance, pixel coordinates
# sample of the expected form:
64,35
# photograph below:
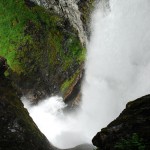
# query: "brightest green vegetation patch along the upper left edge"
13,17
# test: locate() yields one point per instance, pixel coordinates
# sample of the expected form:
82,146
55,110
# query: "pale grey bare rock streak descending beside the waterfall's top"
68,9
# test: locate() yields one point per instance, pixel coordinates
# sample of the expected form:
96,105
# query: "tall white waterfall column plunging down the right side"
118,59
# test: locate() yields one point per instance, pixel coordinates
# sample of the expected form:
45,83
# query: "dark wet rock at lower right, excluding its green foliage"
135,119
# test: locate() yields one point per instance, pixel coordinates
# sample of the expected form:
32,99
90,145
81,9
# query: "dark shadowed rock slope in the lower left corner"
17,129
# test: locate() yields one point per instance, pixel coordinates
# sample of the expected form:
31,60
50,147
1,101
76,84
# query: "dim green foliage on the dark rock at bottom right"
133,143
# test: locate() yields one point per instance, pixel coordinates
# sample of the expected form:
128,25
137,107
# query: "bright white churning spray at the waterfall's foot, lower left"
63,131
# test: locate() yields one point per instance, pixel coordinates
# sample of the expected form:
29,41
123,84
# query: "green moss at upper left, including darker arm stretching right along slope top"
14,16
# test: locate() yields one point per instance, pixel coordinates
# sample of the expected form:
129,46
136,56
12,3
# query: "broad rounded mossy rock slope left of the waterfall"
42,48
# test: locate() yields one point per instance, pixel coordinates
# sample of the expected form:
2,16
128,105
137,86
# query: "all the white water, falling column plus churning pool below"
117,70
